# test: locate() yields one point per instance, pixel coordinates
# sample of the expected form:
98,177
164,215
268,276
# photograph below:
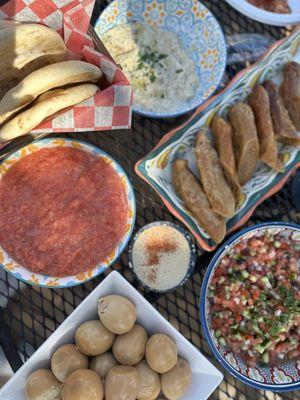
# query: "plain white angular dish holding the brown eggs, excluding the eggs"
205,377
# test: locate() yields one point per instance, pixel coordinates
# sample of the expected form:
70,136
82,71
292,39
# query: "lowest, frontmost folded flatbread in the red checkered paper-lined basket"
46,105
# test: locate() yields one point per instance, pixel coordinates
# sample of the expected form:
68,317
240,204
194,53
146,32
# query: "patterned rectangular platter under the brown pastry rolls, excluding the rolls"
156,167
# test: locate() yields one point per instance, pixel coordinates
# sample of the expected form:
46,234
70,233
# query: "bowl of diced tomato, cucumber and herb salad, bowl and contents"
249,306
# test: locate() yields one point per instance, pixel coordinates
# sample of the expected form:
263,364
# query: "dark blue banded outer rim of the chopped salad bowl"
203,317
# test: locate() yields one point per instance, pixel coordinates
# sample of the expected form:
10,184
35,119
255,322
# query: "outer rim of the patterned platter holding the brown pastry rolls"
292,43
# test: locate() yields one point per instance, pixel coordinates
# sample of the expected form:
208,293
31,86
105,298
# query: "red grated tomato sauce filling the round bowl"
62,211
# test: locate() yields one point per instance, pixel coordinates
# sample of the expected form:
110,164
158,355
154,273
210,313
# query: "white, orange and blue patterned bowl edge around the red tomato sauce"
22,273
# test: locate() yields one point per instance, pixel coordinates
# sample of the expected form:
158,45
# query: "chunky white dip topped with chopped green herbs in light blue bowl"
158,67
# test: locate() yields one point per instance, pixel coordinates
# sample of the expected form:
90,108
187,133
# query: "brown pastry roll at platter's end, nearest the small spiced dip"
191,193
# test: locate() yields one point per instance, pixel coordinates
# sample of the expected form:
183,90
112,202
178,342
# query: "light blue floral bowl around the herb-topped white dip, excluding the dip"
197,29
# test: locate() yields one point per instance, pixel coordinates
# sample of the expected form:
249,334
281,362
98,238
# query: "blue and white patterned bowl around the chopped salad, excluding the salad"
282,378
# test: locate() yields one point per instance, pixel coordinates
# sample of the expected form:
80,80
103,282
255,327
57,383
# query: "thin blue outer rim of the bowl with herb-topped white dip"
156,115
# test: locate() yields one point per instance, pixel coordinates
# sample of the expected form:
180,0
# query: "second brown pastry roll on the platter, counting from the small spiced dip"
212,177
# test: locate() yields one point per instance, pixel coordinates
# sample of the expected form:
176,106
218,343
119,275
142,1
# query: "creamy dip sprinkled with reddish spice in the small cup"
161,257
